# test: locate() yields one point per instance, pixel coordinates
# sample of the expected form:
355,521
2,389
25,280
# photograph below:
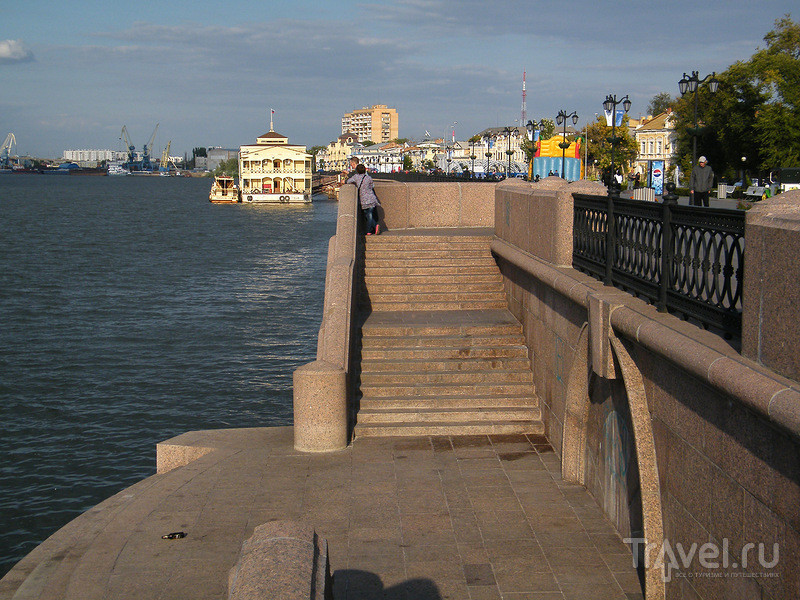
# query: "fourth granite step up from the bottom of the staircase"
447,390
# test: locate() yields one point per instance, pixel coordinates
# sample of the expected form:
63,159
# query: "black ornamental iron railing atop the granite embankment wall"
684,259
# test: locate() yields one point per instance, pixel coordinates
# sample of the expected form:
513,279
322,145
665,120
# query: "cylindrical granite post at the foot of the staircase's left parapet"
320,407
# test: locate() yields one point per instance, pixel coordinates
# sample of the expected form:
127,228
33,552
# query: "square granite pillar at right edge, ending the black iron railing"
771,297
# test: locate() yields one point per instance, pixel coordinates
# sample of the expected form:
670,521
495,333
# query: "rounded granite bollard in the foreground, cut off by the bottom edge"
282,559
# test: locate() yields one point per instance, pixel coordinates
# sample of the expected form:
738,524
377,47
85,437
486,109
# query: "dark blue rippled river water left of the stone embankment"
132,310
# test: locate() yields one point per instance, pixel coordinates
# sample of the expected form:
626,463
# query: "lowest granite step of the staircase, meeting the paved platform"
449,429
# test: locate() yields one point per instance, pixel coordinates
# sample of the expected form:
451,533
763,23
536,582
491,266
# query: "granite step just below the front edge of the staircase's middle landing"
392,354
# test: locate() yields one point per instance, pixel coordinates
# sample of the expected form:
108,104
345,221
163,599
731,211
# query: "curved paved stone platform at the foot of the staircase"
429,518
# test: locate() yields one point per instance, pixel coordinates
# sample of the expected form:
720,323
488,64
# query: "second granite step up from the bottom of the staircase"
446,415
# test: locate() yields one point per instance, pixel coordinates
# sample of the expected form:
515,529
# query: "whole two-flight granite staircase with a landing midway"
440,352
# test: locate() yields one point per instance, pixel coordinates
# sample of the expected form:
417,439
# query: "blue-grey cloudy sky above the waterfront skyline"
73,73
